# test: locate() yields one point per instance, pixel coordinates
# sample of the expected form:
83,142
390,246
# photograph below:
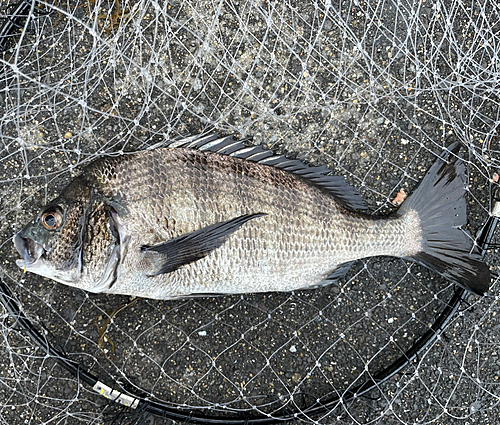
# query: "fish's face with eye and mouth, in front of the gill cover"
51,244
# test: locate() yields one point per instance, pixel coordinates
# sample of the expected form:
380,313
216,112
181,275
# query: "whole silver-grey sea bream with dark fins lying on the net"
212,215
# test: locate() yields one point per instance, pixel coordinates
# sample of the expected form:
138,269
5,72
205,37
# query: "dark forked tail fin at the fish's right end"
440,203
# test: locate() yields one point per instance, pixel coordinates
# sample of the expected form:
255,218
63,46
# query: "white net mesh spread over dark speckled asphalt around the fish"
374,90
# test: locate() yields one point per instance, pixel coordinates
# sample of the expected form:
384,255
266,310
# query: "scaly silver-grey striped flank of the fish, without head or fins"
286,254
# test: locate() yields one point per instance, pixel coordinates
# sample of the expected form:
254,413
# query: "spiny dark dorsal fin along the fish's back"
337,186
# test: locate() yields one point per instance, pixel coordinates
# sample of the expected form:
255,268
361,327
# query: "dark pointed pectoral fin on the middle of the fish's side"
195,245
